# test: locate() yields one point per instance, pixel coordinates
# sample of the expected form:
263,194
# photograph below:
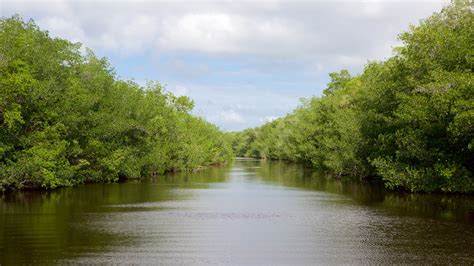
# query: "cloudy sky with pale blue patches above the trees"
242,62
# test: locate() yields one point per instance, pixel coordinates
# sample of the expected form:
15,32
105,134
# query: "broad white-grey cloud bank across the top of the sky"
302,31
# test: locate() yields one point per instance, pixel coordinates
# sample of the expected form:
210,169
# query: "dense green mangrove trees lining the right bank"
408,120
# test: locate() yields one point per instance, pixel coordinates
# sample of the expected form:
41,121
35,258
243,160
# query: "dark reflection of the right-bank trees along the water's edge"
441,207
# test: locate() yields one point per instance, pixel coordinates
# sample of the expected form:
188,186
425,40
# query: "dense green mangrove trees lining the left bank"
65,118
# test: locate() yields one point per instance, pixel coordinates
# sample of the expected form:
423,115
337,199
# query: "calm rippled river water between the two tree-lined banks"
250,212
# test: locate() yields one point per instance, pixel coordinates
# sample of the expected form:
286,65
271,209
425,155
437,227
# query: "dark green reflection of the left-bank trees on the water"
40,227
